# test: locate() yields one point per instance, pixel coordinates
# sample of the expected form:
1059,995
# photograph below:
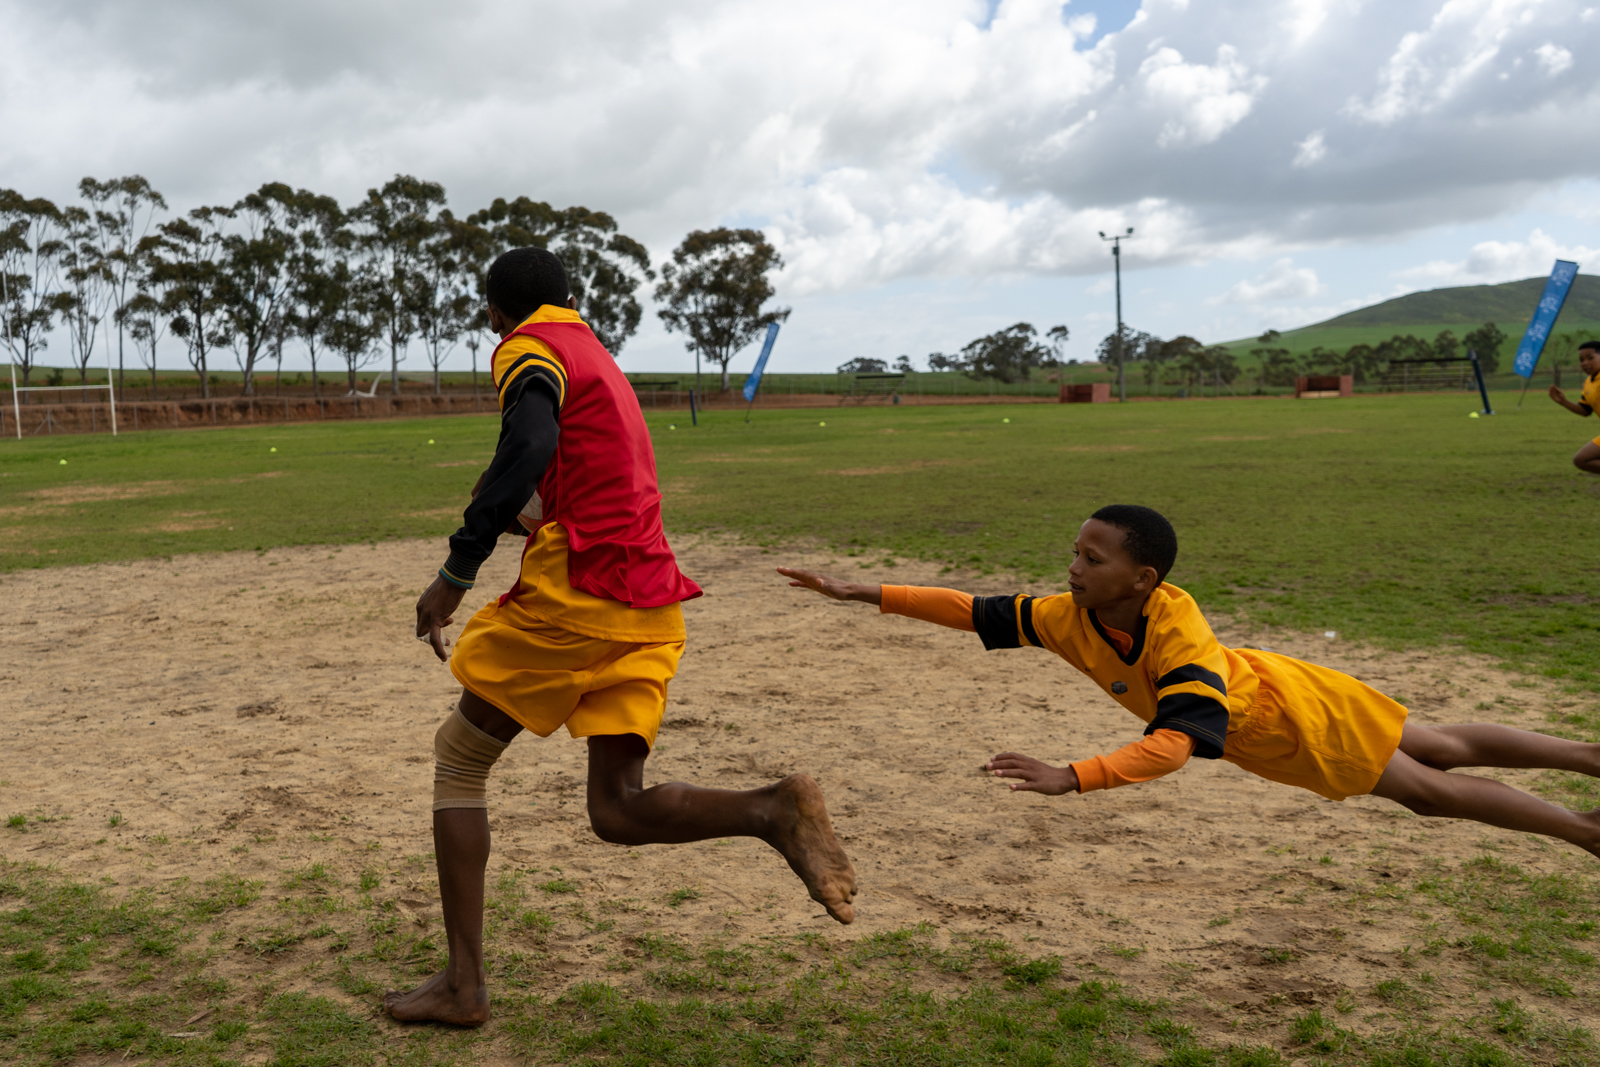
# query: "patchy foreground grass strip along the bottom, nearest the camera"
87,977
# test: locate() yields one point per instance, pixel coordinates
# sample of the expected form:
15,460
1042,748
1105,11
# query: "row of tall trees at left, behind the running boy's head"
350,284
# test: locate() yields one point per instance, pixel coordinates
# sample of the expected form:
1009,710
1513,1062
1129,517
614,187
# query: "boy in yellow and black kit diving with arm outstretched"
1148,645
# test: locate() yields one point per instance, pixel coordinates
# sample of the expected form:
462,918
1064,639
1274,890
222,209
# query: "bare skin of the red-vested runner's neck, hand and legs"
790,815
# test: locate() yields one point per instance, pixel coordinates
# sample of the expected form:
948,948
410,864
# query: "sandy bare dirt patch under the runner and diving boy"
257,713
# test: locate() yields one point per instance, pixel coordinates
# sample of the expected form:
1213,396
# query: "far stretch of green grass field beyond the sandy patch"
1391,519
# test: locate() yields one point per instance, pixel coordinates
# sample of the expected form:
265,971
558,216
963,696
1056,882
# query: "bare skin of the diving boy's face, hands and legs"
1105,578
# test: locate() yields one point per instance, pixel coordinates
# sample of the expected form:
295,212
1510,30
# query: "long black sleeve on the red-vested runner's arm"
529,436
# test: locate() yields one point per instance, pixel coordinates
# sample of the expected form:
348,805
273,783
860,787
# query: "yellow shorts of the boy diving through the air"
1316,729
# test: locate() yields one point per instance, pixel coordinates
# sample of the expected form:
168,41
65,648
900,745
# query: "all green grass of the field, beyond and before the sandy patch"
1388,519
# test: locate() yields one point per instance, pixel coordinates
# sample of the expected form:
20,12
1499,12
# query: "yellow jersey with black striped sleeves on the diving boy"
1177,676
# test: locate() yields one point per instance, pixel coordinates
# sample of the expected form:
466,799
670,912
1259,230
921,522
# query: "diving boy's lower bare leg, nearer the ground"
1434,793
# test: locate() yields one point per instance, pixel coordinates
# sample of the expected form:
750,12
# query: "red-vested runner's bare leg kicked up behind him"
788,815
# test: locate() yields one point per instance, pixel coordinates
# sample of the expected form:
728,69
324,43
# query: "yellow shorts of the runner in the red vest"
548,677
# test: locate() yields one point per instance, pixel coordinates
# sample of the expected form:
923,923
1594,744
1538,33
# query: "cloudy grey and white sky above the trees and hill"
932,170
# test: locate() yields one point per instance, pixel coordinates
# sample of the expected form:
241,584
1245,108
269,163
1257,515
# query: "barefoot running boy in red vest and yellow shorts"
590,636
